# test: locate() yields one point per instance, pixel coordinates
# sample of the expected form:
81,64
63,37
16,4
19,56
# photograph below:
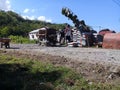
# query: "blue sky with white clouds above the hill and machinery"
99,14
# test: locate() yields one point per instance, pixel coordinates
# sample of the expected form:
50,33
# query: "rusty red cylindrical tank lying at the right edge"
111,40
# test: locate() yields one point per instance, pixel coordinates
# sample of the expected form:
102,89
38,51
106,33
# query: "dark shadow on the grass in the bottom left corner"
19,77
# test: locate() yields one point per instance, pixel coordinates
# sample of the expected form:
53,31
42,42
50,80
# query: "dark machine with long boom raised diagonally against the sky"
86,36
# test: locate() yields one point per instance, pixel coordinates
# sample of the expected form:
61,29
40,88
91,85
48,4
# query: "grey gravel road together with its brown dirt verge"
94,65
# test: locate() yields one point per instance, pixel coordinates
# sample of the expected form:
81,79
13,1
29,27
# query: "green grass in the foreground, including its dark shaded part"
25,74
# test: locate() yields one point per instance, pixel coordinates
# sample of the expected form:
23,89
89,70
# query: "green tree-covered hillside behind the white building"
12,23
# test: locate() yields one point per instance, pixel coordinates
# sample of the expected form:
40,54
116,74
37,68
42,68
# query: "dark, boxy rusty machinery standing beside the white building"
47,36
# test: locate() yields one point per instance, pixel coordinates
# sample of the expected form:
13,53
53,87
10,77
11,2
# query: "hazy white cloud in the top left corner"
5,5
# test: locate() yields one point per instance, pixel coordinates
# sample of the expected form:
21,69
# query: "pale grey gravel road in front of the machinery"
92,55
